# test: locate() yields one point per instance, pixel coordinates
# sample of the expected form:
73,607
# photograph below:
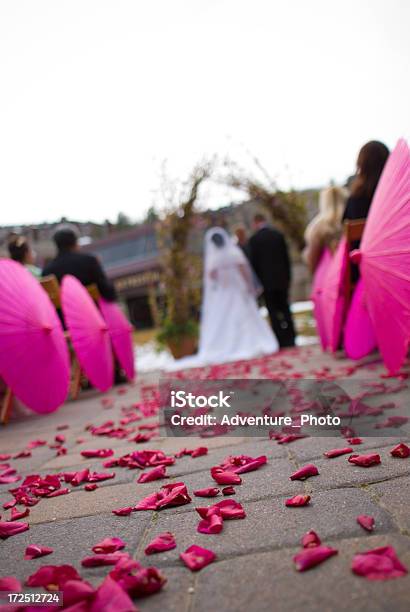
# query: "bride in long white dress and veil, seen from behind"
232,327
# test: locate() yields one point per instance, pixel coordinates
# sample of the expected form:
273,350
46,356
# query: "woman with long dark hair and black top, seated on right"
370,163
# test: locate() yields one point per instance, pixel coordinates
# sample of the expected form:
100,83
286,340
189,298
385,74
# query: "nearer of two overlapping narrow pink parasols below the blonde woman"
334,296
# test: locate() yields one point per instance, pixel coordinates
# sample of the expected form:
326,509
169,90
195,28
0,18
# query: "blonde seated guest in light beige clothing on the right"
326,228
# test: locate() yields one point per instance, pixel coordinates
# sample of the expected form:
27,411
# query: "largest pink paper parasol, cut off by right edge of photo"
384,258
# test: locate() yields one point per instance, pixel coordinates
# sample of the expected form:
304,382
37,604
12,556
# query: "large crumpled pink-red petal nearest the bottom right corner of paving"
378,564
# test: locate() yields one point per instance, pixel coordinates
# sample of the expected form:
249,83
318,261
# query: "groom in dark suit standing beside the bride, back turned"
269,257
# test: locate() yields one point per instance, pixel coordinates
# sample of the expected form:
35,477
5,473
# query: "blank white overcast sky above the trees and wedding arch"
96,93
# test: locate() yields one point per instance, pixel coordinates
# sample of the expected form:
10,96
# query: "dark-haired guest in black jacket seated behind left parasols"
70,260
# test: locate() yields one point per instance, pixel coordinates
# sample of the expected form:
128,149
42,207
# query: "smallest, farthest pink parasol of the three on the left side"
120,332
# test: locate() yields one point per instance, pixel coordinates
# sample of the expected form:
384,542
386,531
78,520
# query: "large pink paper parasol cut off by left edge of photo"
34,360
